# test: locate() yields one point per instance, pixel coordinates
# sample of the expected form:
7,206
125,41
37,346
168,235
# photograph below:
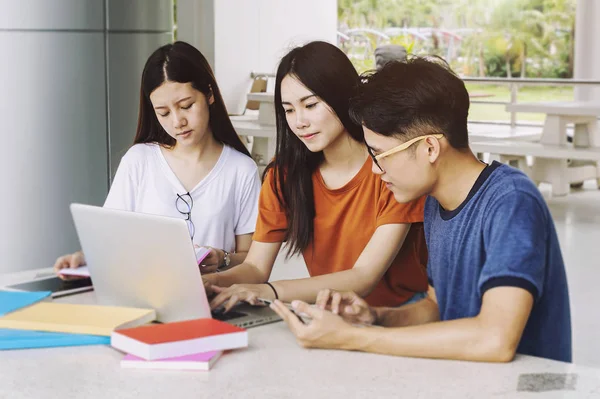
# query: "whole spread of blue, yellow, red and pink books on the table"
32,320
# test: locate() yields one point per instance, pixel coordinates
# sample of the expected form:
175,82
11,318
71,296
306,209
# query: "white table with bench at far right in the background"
584,115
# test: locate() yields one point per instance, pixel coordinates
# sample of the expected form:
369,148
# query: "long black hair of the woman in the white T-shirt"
183,63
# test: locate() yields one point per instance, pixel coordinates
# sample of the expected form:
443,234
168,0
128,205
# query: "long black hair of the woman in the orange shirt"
328,73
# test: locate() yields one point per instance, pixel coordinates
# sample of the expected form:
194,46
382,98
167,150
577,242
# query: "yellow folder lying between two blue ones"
79,319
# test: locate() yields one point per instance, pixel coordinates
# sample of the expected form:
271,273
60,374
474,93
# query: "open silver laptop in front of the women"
148,261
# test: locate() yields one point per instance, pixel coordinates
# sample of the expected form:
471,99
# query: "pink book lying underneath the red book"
197,361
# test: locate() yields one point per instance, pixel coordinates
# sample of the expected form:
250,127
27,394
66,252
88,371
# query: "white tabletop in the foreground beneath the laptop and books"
274,366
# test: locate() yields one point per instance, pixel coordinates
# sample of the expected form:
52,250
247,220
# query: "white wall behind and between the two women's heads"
252,35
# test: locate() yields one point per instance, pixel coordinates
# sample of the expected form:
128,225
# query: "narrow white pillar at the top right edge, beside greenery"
587,48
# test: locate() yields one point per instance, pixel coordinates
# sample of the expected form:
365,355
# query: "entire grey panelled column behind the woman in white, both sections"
70,74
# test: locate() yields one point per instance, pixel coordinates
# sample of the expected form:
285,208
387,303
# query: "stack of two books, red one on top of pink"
185,345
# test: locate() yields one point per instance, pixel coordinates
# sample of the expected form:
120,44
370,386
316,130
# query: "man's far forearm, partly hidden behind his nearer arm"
424,311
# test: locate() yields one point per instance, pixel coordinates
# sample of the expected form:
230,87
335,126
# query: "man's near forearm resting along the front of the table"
462,339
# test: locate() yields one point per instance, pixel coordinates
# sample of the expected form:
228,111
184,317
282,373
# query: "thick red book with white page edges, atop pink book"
161,341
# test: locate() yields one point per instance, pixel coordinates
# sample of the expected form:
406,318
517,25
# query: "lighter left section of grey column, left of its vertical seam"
53,102
